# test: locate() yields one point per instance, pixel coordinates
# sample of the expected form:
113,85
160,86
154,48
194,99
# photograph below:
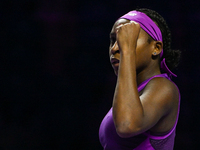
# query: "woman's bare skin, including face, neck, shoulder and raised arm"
133,60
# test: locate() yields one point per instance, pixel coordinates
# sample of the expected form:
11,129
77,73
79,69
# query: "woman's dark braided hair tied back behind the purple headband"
172,57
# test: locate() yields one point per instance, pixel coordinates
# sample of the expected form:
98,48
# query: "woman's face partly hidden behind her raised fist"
143,50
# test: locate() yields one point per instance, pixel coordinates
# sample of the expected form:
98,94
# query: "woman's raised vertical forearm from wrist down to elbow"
127,108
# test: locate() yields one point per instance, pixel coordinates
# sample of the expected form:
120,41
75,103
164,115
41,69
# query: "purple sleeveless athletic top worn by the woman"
110,140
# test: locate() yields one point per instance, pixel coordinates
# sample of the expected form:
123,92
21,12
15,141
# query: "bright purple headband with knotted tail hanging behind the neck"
152,29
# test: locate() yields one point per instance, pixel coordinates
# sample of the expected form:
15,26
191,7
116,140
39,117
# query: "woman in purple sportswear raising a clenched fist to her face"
146,102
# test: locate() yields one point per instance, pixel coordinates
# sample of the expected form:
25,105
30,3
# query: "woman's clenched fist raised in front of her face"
127,35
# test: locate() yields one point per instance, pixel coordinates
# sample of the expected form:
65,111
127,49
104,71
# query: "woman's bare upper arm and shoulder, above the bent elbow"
157,100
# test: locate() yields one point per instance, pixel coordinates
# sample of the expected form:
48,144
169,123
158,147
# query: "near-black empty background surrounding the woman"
56,80
